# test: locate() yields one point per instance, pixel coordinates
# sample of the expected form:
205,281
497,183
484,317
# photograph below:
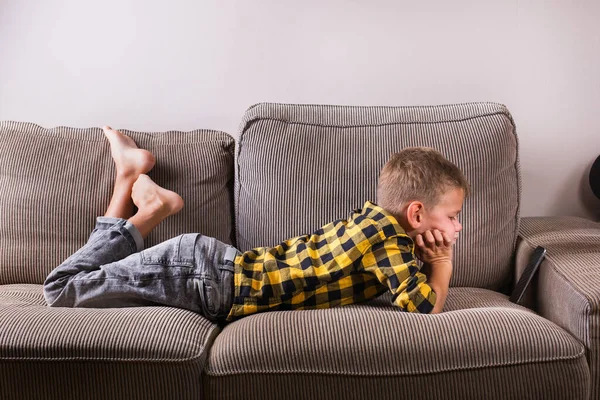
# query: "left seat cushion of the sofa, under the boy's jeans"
129,353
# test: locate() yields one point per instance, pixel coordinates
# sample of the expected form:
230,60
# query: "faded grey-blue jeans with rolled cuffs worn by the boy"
190,271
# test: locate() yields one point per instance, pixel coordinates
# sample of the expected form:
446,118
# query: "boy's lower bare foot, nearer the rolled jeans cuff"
153,200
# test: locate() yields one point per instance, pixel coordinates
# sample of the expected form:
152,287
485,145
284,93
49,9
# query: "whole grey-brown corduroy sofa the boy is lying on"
292,169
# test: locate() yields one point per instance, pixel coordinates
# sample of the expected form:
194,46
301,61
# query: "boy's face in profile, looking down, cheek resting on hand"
444,215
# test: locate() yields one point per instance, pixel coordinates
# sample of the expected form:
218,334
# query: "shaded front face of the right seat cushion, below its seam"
525,381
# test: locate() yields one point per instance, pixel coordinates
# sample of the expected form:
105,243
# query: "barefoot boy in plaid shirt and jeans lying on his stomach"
420,194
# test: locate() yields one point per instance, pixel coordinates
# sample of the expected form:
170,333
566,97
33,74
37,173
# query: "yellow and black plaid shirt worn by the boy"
344,262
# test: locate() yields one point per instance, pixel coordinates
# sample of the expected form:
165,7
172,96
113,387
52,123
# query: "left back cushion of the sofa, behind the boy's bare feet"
56,181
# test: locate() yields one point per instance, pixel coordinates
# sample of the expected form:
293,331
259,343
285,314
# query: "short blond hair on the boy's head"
417,173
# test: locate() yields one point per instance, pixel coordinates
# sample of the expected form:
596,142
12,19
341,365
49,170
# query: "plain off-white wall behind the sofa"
157,65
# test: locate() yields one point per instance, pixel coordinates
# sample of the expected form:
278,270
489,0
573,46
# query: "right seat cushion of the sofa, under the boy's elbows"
375,351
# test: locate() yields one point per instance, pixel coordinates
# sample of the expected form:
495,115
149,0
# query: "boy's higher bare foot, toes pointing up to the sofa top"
130,160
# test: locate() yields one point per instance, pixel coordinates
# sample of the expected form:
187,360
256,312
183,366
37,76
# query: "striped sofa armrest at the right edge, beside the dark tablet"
568,285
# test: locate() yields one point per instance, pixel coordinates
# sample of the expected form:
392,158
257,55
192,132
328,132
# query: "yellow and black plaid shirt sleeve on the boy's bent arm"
394,265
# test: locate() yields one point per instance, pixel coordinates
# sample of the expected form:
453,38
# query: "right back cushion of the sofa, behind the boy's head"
302,166
